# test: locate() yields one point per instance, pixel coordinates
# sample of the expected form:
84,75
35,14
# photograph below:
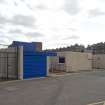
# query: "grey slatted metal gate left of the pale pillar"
8,63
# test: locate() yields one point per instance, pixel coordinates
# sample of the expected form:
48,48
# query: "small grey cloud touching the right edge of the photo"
96,12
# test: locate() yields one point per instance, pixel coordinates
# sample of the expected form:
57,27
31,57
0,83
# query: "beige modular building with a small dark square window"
71,61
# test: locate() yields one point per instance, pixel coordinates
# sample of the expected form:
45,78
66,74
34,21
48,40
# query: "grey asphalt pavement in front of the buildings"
75,89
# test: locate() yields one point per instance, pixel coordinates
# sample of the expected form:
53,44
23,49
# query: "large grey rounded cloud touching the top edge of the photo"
71,7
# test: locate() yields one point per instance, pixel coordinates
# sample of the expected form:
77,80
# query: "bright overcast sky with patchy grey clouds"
56,23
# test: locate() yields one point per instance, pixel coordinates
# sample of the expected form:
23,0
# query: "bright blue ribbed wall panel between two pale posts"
34,65
